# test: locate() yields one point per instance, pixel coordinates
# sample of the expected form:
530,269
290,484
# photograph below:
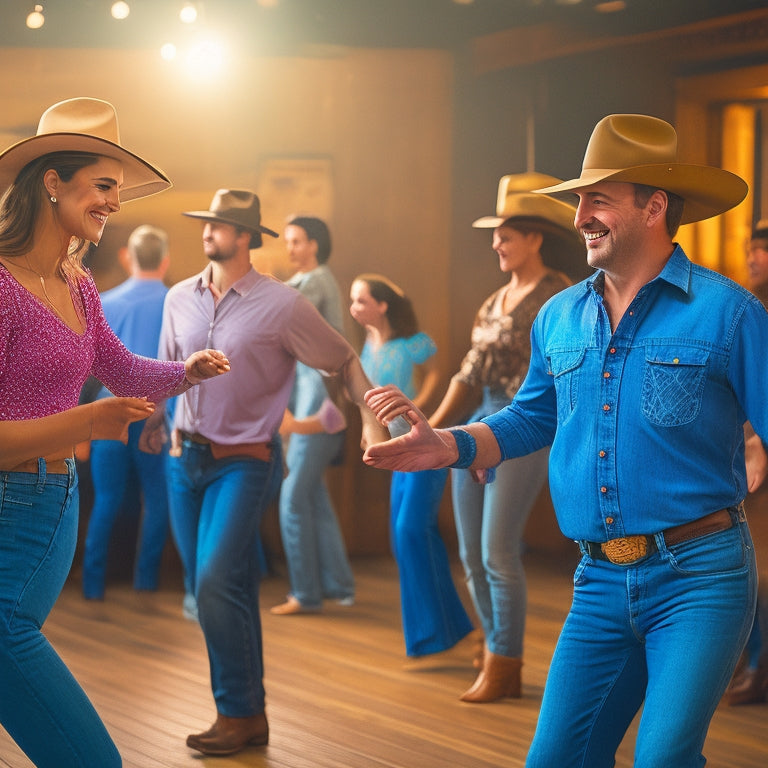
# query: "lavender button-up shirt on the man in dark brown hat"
264,327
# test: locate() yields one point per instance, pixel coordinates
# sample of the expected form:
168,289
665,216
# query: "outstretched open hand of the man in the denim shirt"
422,448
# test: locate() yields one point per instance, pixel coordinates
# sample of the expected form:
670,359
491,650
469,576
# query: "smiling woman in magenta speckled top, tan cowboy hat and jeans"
59,188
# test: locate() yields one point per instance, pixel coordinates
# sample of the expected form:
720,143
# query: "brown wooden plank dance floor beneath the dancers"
339,691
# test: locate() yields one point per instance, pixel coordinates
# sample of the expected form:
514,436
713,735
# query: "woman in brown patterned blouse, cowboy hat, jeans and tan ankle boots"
534,238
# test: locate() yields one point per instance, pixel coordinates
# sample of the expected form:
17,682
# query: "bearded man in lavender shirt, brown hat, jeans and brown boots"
225,462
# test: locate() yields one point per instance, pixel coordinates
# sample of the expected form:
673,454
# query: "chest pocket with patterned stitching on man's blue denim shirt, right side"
673,382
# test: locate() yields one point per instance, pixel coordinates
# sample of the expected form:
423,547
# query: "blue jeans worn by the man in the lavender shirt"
216,510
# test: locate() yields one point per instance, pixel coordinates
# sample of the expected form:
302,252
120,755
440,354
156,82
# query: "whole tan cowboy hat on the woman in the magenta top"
83,125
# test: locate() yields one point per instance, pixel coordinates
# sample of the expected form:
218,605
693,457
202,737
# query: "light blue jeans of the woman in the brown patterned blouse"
490,521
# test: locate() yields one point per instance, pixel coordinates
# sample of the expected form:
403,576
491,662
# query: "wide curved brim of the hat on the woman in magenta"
140,178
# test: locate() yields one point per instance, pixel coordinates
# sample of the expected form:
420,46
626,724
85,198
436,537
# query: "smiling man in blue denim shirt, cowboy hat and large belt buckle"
641,379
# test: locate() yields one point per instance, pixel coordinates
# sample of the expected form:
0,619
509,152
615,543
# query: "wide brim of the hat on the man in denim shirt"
706,190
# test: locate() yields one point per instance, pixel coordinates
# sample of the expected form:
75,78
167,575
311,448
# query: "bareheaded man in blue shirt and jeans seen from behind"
134,310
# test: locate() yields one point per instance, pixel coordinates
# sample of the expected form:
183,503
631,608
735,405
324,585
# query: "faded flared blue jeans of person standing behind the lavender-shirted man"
318,566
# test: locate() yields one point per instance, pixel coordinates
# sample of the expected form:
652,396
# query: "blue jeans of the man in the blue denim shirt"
667,631
